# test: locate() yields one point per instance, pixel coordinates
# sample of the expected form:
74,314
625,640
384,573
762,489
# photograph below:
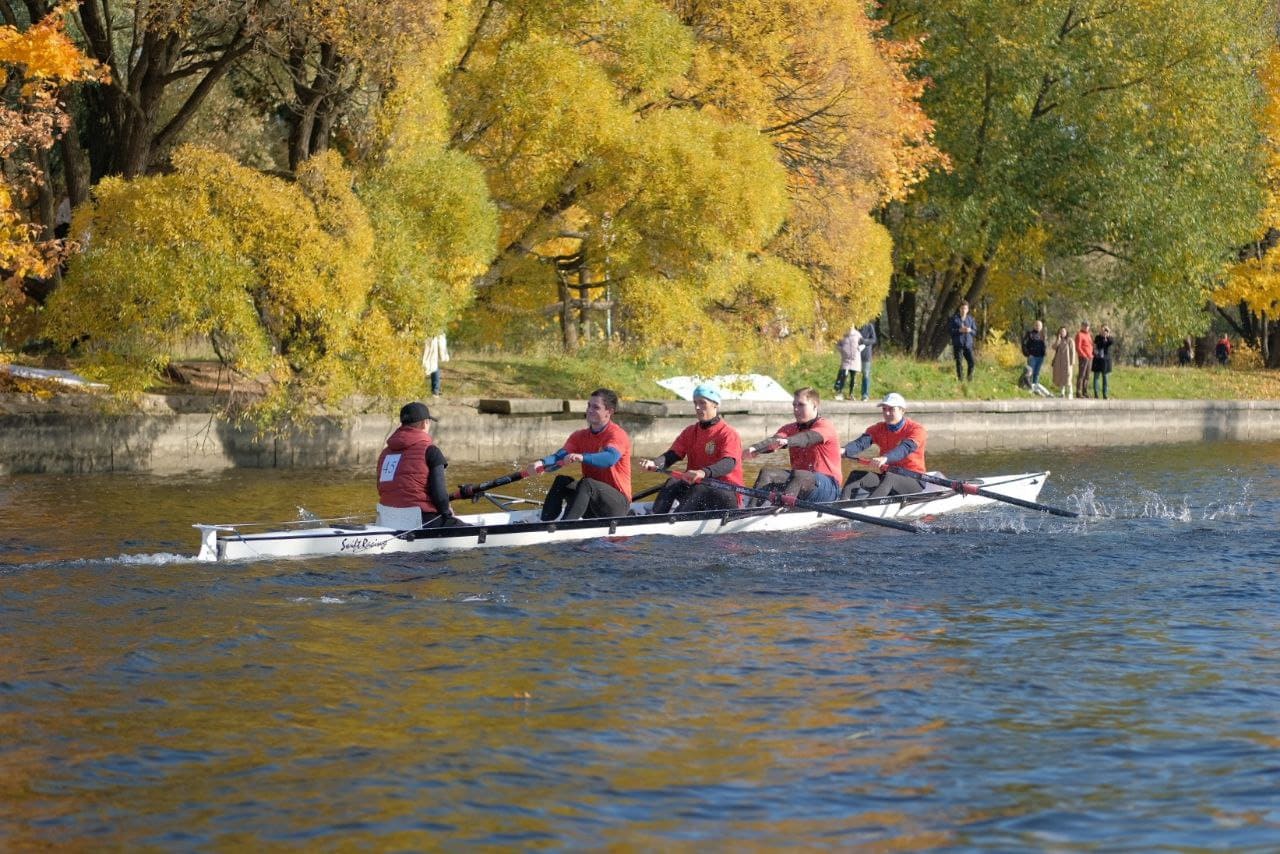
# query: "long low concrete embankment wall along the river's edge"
75,435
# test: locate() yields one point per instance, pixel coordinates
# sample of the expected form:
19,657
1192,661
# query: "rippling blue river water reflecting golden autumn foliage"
1007,681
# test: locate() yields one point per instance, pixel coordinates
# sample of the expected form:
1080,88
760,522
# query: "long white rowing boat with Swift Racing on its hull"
508,528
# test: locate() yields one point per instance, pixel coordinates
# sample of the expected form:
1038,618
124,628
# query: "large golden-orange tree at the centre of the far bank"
703,172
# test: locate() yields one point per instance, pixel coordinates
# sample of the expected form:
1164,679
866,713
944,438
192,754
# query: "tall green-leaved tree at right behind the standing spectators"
1123,133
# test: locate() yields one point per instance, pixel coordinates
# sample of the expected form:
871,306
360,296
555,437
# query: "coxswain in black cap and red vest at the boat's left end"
412,471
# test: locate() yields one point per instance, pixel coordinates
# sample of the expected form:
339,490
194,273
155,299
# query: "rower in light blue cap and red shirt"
711,449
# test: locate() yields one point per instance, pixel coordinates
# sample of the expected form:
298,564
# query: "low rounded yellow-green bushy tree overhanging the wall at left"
277,276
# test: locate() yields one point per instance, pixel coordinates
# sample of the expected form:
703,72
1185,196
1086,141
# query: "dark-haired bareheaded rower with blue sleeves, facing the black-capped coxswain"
604,449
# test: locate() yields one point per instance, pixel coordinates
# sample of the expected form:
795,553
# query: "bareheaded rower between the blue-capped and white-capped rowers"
813,449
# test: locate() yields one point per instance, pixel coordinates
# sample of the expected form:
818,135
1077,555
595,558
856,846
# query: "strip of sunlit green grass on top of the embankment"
565,377
